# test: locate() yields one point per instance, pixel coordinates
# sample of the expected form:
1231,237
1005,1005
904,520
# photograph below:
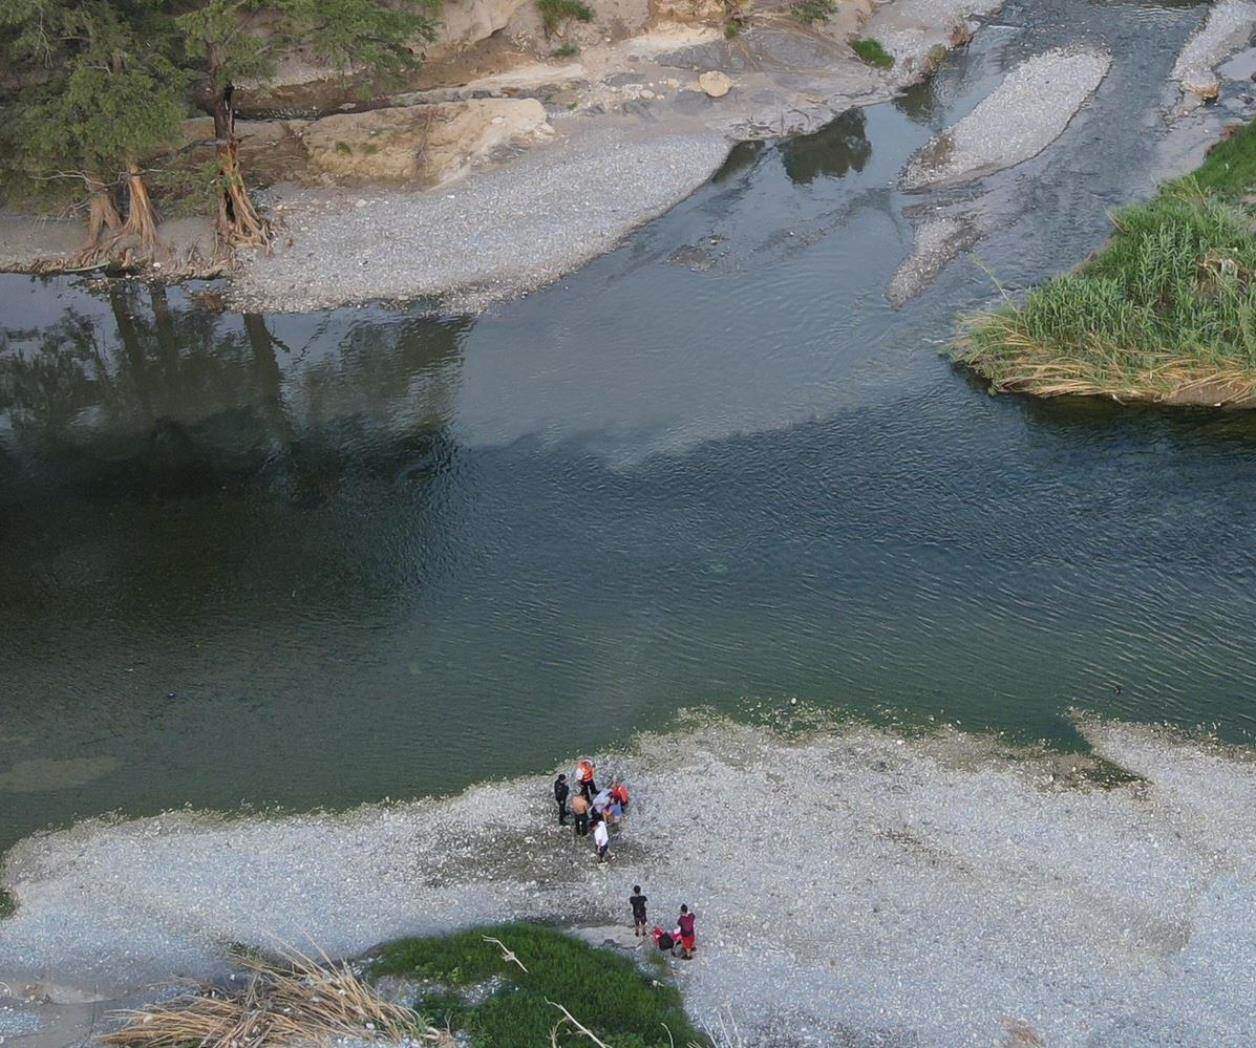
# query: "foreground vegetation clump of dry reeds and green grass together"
499,986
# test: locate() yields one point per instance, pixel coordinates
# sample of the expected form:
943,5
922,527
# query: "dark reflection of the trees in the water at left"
179,400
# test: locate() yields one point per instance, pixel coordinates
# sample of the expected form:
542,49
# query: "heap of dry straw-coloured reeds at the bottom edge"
296,1002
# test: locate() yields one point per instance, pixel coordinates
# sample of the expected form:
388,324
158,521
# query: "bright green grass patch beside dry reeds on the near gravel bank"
606,991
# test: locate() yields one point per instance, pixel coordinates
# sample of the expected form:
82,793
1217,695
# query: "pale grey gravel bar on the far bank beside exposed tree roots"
494,236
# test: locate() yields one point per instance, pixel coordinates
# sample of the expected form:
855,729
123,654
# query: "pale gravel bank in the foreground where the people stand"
852,888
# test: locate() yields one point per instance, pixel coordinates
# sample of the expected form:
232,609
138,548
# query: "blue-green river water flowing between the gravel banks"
316,560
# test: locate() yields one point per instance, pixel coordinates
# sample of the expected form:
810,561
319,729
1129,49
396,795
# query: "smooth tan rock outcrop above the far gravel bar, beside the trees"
420,144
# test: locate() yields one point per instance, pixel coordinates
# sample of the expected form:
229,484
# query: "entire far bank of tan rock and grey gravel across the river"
523,156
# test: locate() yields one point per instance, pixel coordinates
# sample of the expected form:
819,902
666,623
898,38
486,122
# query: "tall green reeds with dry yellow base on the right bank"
1165,314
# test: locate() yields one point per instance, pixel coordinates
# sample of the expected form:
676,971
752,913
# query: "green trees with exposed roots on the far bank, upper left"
95,96
